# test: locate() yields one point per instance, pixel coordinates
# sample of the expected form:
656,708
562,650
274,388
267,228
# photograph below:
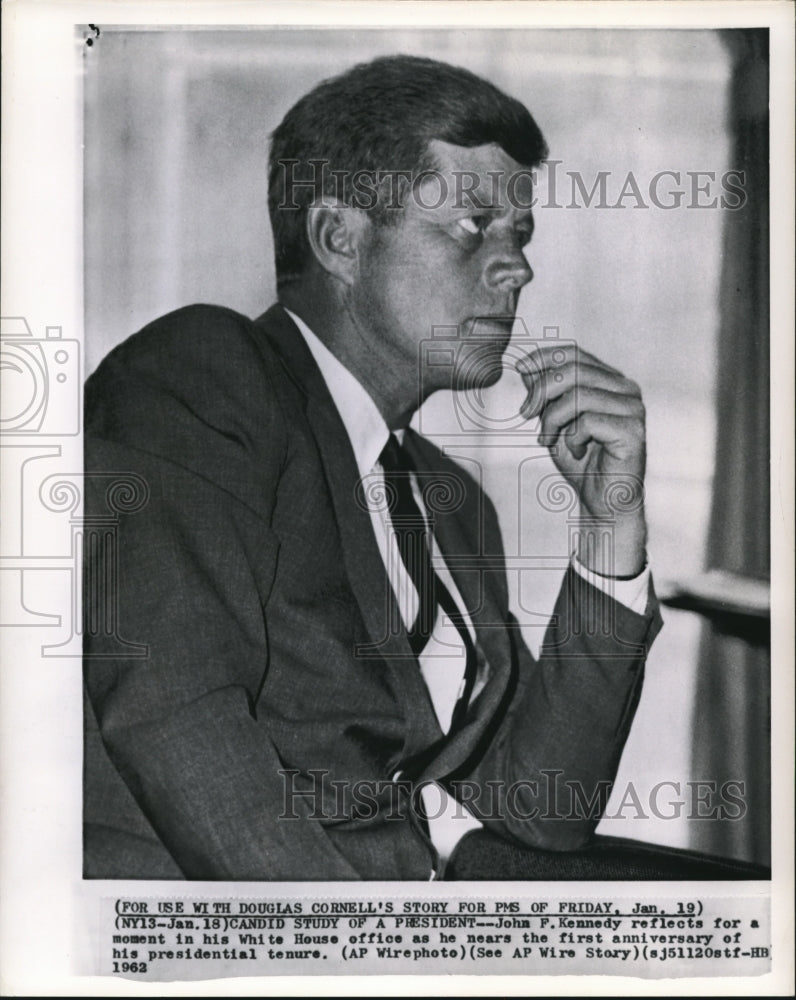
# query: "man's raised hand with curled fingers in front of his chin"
592,419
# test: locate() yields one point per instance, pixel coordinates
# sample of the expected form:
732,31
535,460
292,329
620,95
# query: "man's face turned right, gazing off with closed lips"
454,258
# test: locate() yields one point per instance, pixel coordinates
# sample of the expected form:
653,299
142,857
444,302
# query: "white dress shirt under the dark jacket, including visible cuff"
443,659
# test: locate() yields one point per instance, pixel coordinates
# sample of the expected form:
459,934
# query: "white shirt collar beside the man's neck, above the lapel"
366,428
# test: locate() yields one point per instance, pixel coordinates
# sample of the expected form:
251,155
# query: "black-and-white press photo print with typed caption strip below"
408,471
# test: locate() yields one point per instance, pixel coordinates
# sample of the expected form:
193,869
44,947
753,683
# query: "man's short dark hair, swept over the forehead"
377,119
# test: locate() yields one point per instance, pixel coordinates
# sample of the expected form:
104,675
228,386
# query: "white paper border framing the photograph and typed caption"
42,911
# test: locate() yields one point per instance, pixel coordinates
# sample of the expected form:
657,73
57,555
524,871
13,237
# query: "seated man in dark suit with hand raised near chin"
334,687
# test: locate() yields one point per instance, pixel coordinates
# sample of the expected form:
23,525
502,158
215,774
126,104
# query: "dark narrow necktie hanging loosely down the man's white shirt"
411,534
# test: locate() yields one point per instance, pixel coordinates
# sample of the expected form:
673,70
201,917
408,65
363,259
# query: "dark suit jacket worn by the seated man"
254,579
